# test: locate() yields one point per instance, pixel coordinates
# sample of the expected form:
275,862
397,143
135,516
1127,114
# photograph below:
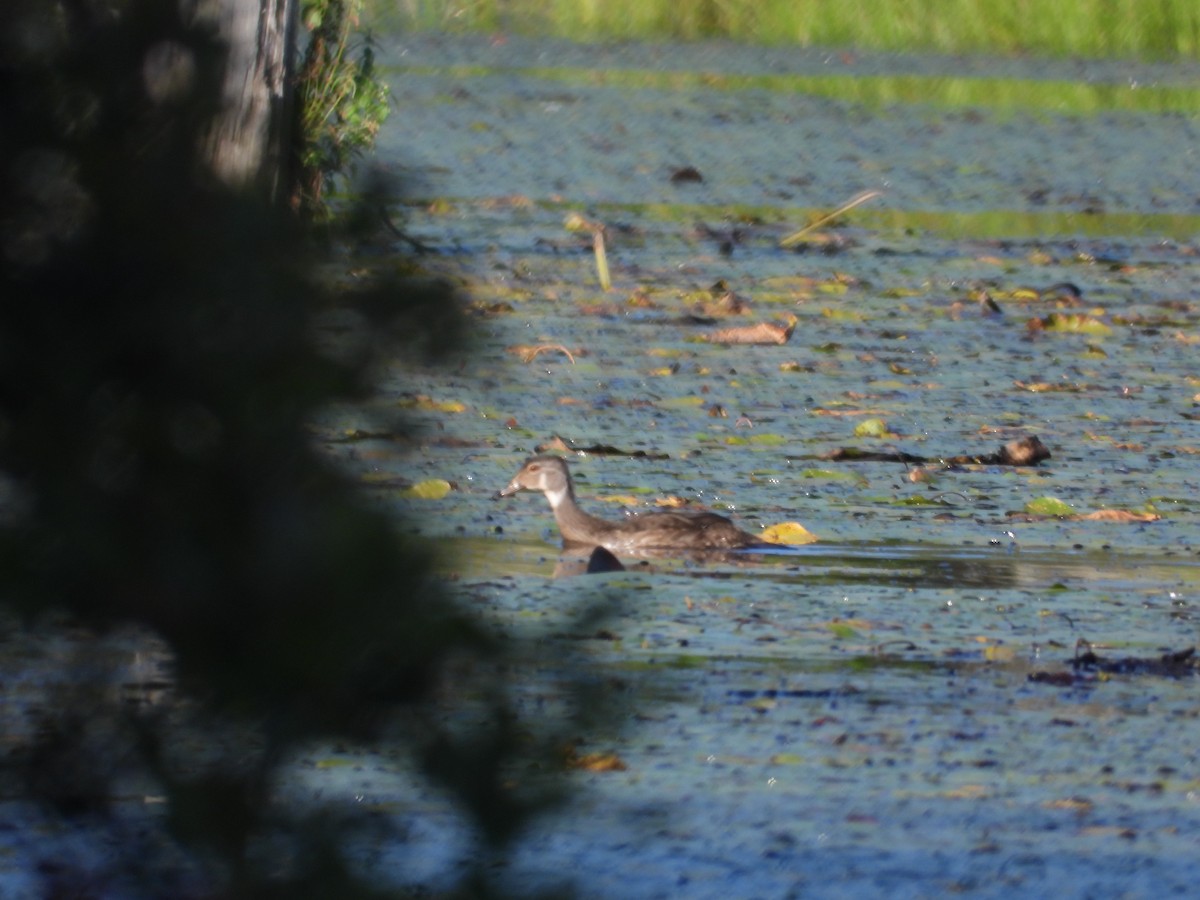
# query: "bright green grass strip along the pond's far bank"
1148,29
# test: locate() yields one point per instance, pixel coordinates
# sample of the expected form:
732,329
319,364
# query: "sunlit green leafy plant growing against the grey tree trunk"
341,103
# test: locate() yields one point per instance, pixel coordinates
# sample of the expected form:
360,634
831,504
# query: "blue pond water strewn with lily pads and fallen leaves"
856,716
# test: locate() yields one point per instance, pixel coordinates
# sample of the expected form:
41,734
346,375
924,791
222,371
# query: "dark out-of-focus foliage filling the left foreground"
159,375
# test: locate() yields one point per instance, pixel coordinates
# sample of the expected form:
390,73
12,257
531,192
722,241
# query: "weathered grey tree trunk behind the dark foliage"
249,147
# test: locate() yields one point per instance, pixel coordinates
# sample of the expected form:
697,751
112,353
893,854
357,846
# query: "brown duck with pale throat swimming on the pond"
669,530
